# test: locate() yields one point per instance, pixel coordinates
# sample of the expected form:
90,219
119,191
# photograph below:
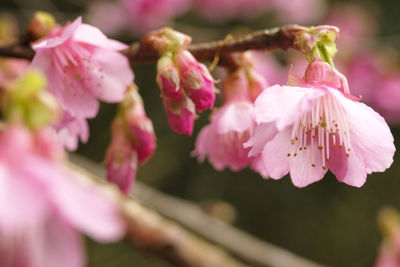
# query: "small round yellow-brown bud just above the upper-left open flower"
41,24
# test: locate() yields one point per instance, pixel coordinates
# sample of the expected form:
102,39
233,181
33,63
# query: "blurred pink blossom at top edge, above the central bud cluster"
146,15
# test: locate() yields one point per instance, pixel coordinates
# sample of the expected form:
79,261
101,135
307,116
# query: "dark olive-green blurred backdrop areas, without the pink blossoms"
329,222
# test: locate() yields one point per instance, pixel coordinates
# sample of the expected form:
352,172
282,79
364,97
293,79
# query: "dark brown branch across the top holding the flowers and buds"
283,37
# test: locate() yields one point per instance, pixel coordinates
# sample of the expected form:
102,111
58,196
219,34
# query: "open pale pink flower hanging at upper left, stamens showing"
82,66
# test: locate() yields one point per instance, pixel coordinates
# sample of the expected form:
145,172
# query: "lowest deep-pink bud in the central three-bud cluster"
180,114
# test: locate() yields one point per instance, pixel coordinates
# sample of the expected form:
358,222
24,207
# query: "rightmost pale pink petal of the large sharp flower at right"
370,135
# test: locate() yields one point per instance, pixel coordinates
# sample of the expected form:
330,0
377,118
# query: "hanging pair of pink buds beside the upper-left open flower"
133,140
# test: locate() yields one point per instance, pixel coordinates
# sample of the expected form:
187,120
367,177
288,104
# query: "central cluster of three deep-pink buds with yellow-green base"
185,83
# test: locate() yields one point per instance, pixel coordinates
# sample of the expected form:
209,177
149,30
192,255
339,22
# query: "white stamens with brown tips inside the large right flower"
325,125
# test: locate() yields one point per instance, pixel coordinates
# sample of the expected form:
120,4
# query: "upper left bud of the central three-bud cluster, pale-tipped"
168,78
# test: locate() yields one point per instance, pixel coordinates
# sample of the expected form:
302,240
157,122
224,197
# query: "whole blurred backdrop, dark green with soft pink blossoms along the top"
328,222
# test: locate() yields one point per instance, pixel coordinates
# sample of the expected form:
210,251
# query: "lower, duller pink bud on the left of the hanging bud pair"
121,160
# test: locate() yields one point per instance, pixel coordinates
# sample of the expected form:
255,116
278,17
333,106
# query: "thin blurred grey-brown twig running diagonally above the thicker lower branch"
243,246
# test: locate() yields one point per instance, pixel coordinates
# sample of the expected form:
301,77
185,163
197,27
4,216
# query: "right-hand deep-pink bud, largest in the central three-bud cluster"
196,80
